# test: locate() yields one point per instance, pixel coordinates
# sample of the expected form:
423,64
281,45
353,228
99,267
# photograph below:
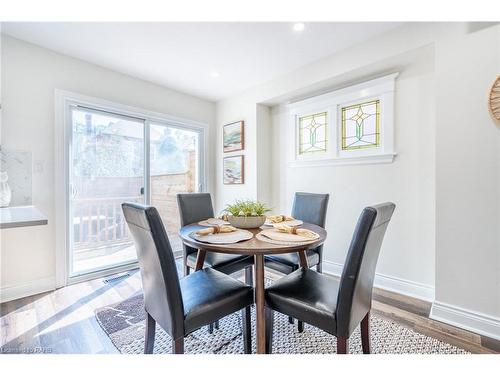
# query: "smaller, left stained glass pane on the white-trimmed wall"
313,133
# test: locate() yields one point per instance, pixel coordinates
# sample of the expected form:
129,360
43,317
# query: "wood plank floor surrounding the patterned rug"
63,321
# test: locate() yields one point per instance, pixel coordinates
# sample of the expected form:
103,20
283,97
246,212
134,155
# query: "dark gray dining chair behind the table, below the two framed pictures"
193,208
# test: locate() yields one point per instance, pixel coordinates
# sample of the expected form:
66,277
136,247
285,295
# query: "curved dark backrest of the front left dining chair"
160,282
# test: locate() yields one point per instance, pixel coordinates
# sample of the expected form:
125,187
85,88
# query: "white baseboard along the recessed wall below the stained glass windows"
393,284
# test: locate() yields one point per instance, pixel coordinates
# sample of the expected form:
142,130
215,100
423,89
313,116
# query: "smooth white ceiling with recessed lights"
209,60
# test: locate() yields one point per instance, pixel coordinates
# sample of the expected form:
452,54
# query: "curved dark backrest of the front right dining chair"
356,283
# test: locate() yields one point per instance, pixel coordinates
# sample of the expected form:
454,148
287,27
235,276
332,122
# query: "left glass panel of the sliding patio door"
107,159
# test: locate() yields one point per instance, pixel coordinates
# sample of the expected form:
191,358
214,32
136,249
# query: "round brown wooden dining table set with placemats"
258,249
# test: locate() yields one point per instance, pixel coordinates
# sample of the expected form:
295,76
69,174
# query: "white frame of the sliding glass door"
63,102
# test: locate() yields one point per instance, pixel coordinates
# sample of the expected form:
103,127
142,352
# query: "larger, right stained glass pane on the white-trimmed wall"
361,126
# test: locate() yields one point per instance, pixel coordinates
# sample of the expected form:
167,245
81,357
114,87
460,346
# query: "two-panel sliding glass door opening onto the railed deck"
116,158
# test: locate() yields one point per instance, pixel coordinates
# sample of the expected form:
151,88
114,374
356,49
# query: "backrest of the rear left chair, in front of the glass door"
194,207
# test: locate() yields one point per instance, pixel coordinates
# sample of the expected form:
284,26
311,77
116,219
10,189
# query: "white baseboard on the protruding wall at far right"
473,321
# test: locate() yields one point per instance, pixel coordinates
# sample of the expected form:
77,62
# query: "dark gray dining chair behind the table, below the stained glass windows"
310,208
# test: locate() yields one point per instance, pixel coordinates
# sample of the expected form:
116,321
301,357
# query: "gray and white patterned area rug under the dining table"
124,324
